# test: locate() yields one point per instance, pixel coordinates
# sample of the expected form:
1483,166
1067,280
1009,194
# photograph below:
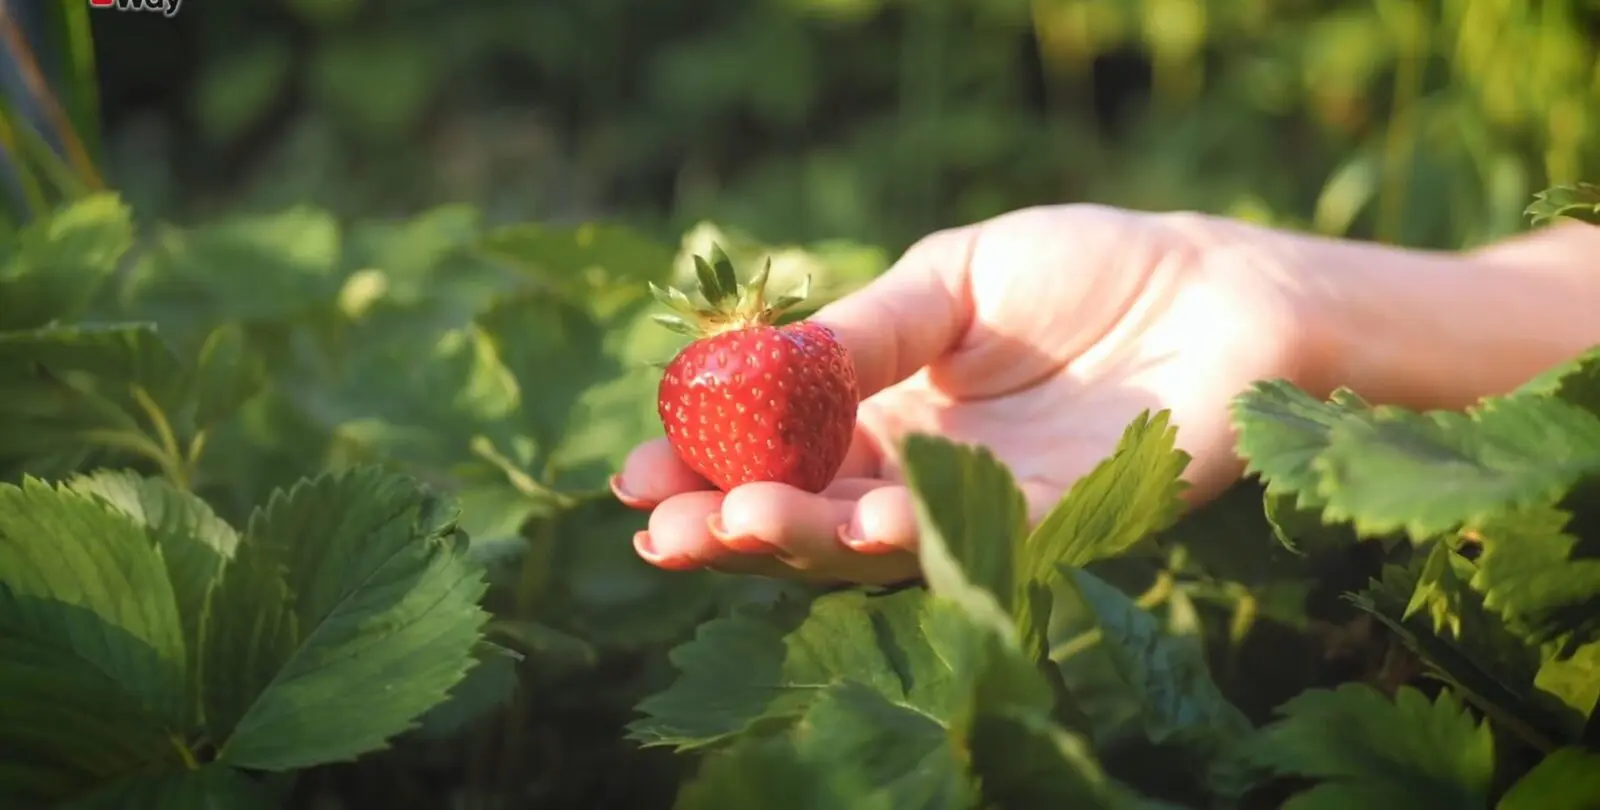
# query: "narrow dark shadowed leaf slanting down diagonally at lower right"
1487,664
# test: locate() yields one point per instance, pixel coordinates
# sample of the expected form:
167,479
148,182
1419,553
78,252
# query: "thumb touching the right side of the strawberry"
911,316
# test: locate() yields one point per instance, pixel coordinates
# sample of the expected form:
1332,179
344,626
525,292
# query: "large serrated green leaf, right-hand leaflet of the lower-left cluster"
351,609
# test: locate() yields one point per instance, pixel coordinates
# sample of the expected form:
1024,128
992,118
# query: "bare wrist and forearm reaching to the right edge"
1442,331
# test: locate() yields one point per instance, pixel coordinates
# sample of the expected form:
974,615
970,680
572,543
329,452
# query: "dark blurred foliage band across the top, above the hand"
874,121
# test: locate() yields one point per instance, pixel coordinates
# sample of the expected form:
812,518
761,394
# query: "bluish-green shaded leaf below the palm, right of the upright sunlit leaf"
1132,680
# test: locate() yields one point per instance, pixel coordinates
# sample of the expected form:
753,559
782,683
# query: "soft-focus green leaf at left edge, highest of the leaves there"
60,262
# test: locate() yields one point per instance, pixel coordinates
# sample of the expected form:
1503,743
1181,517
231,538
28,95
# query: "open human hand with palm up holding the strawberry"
1039,334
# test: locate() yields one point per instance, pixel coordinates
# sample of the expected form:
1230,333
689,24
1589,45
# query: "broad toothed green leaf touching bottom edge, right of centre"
1366,752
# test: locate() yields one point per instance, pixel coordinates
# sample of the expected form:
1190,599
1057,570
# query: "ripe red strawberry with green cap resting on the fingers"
750,401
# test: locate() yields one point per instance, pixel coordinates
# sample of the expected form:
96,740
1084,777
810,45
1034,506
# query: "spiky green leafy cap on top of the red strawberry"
730,305
